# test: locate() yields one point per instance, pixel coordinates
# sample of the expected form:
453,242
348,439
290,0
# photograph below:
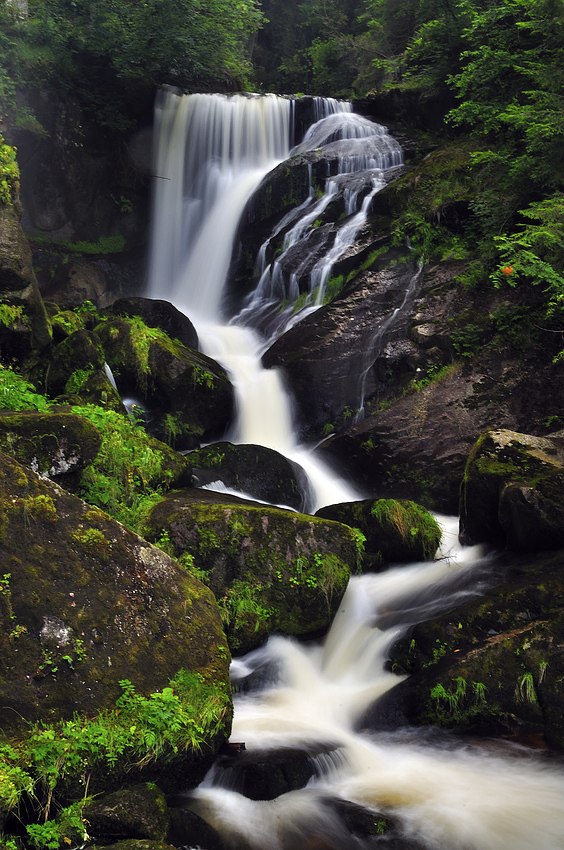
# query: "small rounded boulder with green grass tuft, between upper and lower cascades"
395,531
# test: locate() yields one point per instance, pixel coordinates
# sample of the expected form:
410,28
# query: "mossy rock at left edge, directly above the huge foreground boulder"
53,444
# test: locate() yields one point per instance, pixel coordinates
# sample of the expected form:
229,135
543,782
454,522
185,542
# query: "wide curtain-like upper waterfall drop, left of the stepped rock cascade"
212,150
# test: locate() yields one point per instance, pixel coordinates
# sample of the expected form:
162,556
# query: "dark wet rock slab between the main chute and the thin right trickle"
328,358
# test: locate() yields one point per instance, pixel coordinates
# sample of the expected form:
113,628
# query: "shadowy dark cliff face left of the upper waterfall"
70,173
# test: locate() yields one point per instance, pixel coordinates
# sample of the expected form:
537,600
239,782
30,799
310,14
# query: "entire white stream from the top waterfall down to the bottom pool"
212,153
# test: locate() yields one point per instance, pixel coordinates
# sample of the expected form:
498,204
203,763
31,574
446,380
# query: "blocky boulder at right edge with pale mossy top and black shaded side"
513,492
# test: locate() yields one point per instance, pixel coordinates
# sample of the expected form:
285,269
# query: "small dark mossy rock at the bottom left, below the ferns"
139,811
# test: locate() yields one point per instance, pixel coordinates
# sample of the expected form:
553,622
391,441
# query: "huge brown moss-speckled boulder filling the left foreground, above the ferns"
86,604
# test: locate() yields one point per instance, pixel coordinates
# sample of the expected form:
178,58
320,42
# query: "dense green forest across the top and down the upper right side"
492,70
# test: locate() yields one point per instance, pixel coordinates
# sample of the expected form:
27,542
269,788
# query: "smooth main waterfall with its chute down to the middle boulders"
212,151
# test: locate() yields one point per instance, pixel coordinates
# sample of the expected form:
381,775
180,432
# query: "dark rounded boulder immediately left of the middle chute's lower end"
255,470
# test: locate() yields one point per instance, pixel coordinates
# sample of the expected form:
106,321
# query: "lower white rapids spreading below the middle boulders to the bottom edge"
445,795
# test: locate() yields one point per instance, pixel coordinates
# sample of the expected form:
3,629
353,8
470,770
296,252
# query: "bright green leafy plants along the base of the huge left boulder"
180,718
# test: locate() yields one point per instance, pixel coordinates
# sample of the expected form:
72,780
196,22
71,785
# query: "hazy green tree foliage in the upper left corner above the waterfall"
125,48
